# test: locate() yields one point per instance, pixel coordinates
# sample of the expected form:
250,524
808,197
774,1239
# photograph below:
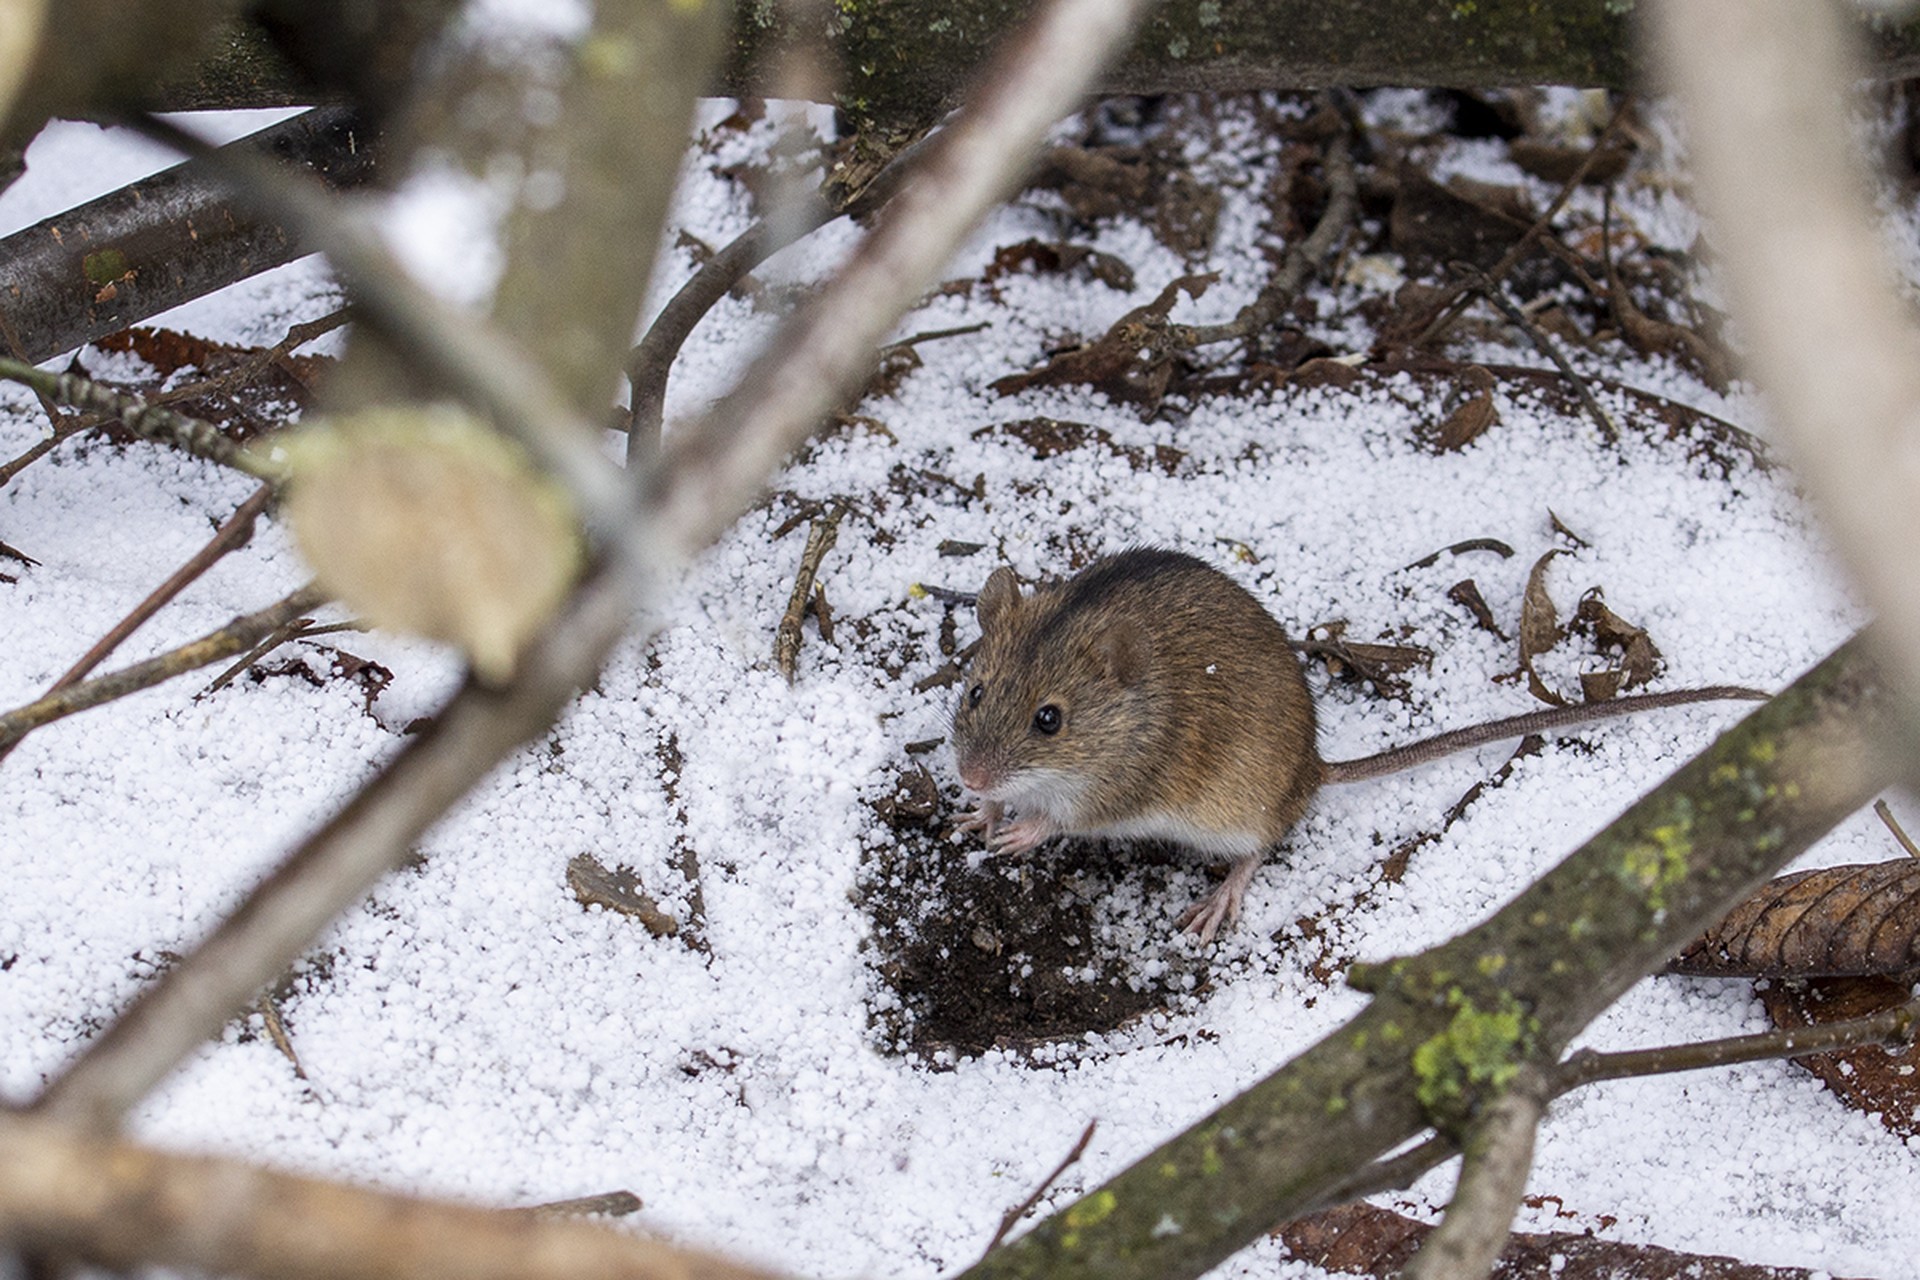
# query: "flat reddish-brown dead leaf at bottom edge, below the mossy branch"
1378,1243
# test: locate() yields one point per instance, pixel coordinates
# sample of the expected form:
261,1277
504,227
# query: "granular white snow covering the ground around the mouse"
473,1031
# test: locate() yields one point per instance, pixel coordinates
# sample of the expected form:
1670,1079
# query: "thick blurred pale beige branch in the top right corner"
1765,89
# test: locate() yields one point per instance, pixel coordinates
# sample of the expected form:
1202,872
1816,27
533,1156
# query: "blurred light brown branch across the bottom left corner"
126,1206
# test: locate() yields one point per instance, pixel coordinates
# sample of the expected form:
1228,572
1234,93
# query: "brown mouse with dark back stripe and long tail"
1153,698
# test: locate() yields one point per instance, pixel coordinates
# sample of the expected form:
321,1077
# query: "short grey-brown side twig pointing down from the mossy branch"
1493,1177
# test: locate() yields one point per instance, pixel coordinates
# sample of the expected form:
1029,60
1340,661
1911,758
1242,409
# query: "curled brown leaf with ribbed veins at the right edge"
1856,920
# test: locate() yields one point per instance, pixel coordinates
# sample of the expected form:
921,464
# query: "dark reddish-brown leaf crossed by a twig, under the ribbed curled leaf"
1881,1081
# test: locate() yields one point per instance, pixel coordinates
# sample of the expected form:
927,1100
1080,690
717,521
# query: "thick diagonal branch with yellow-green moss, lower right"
1451,1028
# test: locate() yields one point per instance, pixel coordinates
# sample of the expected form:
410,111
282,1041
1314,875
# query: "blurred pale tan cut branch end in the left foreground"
427,521
